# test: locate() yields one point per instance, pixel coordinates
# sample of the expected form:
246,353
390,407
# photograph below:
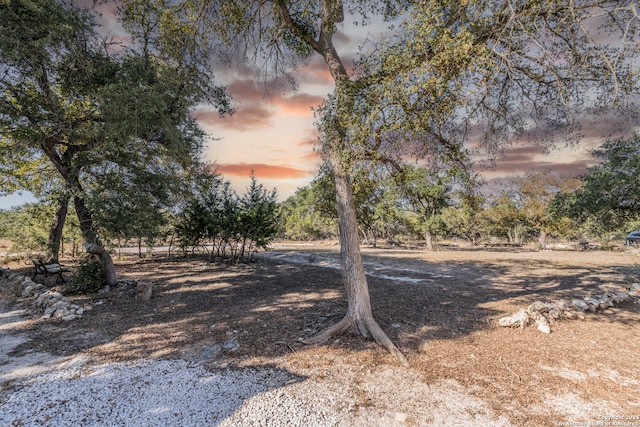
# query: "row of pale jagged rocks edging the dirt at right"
544,314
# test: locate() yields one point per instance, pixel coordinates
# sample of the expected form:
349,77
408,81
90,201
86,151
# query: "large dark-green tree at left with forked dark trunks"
94,116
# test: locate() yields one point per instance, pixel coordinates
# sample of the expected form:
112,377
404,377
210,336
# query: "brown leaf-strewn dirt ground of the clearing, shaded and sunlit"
441,309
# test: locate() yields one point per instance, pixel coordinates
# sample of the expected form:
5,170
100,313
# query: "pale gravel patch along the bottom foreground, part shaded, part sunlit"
179,393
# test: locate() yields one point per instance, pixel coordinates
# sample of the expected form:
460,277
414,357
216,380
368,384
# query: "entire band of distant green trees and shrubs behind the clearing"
410,205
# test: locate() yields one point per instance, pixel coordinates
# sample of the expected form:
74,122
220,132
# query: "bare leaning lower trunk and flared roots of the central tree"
359,315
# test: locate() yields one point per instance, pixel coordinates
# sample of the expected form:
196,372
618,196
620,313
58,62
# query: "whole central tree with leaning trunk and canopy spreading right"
452,72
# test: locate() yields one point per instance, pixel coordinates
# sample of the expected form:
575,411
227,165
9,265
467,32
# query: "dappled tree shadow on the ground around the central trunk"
264,309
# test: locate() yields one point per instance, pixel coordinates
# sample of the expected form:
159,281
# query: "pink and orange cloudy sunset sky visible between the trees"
272,132
